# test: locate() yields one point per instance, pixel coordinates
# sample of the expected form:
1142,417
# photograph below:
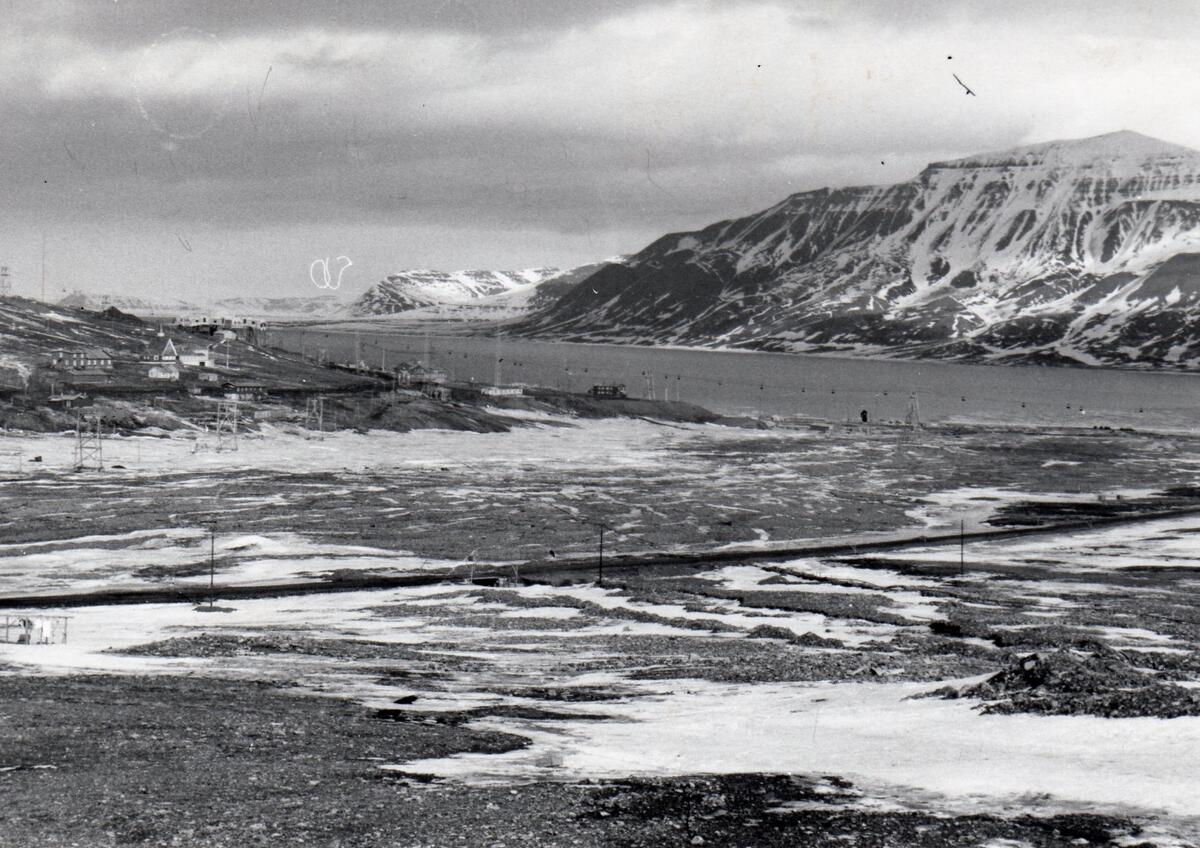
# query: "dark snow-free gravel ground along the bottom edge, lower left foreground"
127,761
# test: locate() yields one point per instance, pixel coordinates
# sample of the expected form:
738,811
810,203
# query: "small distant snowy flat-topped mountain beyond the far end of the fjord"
467,296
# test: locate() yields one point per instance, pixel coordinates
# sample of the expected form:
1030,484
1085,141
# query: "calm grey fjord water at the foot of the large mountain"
787,384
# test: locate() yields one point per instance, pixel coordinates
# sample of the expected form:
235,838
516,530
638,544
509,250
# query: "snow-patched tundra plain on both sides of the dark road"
1030,691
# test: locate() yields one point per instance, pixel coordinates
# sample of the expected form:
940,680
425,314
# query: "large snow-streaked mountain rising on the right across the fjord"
1083,251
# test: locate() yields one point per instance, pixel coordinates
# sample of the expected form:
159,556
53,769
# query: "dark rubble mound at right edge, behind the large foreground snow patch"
1070,683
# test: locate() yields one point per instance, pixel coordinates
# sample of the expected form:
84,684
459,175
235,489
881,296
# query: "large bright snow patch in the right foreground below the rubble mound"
874,735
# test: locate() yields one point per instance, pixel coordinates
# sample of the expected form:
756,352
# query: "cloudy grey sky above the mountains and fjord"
194,149
